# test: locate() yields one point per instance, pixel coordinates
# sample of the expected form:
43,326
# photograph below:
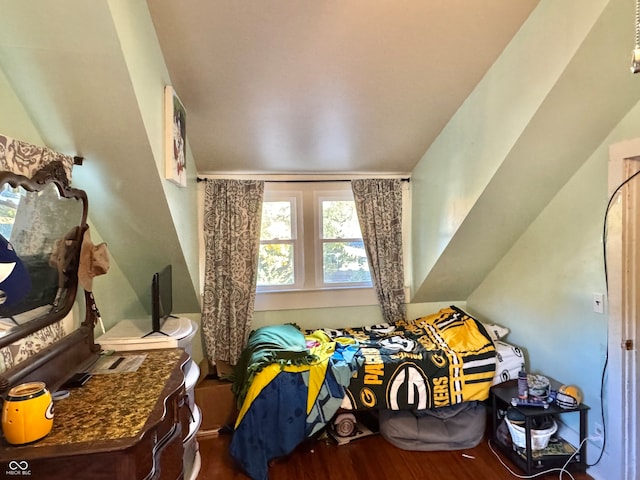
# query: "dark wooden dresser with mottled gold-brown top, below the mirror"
117,426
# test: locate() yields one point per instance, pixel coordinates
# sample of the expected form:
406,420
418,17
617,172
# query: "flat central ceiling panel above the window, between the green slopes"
338,86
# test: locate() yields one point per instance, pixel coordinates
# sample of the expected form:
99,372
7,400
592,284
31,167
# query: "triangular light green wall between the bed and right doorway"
542,289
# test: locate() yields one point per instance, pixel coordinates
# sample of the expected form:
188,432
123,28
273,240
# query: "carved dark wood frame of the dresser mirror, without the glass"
77,348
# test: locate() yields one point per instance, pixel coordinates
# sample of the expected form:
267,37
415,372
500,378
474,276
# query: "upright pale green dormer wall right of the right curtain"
457,169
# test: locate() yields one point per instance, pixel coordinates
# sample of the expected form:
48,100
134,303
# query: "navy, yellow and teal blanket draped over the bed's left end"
287,391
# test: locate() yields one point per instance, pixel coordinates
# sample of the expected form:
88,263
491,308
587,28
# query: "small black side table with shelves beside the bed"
531,461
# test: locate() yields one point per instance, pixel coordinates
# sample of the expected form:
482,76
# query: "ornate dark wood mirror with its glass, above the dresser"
42,222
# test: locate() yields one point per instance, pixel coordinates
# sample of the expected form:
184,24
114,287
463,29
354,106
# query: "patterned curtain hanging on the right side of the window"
379,206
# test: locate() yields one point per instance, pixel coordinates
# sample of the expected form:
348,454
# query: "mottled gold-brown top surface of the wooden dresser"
111,406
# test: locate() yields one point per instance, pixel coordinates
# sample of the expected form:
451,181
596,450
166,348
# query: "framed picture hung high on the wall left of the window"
175,138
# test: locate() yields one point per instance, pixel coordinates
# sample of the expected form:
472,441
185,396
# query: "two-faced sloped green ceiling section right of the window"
552,98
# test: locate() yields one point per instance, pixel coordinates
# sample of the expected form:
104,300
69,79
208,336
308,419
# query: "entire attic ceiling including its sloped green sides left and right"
324,87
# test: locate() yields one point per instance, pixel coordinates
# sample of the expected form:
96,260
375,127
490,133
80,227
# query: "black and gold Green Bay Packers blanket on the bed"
435,361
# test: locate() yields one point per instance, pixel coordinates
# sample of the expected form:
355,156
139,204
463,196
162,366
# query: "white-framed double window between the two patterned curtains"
295,235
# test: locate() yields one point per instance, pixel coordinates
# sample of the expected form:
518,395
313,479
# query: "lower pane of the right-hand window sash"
345,262
